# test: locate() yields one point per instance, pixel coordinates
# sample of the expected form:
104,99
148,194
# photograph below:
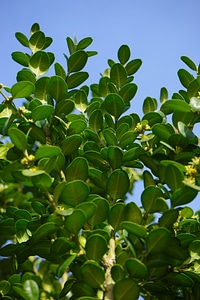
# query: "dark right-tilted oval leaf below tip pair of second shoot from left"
77,61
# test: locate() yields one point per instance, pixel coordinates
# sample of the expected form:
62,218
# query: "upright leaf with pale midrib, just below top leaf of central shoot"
118,75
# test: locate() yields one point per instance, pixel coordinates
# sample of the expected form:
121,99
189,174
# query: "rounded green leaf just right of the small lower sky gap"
149,198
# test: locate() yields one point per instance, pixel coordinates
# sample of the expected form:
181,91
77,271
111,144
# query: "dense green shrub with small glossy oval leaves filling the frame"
69,158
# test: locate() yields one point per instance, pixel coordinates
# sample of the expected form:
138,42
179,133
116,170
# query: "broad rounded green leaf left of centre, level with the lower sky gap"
75,192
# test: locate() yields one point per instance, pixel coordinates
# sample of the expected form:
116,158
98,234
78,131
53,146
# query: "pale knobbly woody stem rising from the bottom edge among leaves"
109,260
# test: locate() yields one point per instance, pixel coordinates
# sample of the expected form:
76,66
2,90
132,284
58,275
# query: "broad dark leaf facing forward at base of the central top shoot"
114,105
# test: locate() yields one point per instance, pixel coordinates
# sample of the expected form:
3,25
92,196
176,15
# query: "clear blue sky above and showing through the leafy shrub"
157,31
